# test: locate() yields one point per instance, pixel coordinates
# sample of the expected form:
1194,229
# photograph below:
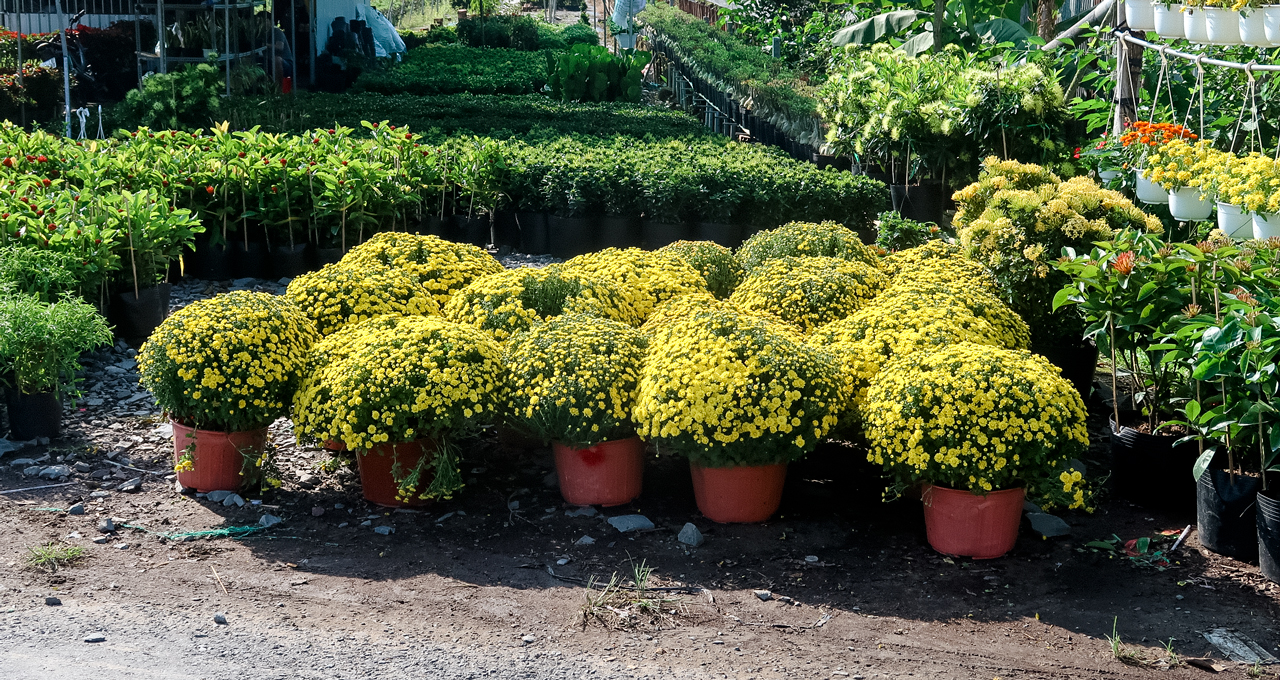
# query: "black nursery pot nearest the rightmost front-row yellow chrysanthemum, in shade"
1153,472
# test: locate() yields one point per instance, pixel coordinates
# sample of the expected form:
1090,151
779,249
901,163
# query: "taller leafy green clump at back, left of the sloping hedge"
592,74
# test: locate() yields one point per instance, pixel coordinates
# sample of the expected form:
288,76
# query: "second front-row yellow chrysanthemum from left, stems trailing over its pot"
405,389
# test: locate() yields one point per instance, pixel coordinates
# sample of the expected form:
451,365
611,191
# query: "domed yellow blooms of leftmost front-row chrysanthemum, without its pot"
231,363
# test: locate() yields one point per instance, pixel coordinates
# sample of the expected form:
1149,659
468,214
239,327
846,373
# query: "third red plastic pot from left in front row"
606,474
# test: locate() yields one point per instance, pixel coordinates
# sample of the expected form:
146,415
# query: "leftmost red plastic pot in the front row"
220,458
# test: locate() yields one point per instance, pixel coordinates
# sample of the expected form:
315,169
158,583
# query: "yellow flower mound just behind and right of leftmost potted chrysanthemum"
340,295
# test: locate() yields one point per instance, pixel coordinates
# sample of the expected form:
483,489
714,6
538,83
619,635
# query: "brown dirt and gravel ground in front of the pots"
495,583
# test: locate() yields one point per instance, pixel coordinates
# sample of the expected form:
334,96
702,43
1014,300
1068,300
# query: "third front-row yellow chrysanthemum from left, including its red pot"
573,381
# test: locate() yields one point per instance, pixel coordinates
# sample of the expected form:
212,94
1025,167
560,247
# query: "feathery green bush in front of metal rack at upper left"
181,101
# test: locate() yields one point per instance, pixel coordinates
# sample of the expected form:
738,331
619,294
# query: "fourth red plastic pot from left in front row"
749,494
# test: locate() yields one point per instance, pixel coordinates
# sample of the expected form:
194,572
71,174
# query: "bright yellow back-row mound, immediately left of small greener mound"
644,279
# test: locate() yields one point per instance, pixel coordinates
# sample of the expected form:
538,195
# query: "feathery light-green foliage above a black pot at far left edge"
40,344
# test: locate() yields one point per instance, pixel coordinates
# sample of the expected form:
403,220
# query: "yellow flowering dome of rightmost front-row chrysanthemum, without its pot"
980,419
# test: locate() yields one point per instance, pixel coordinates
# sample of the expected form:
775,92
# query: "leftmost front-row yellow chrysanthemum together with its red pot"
225,369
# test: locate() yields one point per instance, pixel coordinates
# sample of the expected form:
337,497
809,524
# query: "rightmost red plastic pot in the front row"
963,524
